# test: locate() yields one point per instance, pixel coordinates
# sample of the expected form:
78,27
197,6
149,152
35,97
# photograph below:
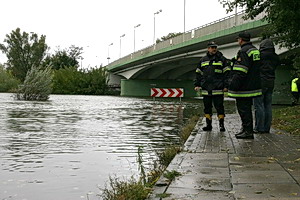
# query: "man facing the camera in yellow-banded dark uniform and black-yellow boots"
210,77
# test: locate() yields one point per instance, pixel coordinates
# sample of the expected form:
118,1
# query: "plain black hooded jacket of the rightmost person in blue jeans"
269,62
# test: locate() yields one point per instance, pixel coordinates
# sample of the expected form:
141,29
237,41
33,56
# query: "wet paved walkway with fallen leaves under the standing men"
217,166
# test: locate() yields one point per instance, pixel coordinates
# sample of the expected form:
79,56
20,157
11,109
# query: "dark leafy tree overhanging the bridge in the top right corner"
283,18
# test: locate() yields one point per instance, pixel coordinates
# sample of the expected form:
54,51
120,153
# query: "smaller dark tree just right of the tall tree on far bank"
65,58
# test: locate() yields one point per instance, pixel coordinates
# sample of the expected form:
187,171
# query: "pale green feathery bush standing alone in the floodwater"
37,85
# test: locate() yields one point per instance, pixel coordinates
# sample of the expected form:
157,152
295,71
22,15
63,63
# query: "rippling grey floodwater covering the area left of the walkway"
66,148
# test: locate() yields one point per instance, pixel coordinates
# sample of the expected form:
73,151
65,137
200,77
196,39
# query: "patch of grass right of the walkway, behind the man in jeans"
287,119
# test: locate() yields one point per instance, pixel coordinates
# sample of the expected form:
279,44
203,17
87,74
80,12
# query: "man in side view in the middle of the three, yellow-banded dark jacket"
245,83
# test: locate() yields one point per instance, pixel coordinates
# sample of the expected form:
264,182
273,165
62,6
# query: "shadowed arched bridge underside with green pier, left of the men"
173,73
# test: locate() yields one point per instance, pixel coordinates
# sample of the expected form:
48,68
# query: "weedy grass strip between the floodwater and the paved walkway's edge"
140,189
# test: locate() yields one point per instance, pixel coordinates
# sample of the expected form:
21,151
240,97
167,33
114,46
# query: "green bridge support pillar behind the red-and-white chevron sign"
141,88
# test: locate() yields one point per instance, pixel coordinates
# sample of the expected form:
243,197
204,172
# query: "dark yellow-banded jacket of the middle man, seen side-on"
245,75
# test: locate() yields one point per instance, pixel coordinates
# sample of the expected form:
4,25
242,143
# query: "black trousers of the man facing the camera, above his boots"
217,100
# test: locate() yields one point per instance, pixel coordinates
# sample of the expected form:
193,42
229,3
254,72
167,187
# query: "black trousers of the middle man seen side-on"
244,107
